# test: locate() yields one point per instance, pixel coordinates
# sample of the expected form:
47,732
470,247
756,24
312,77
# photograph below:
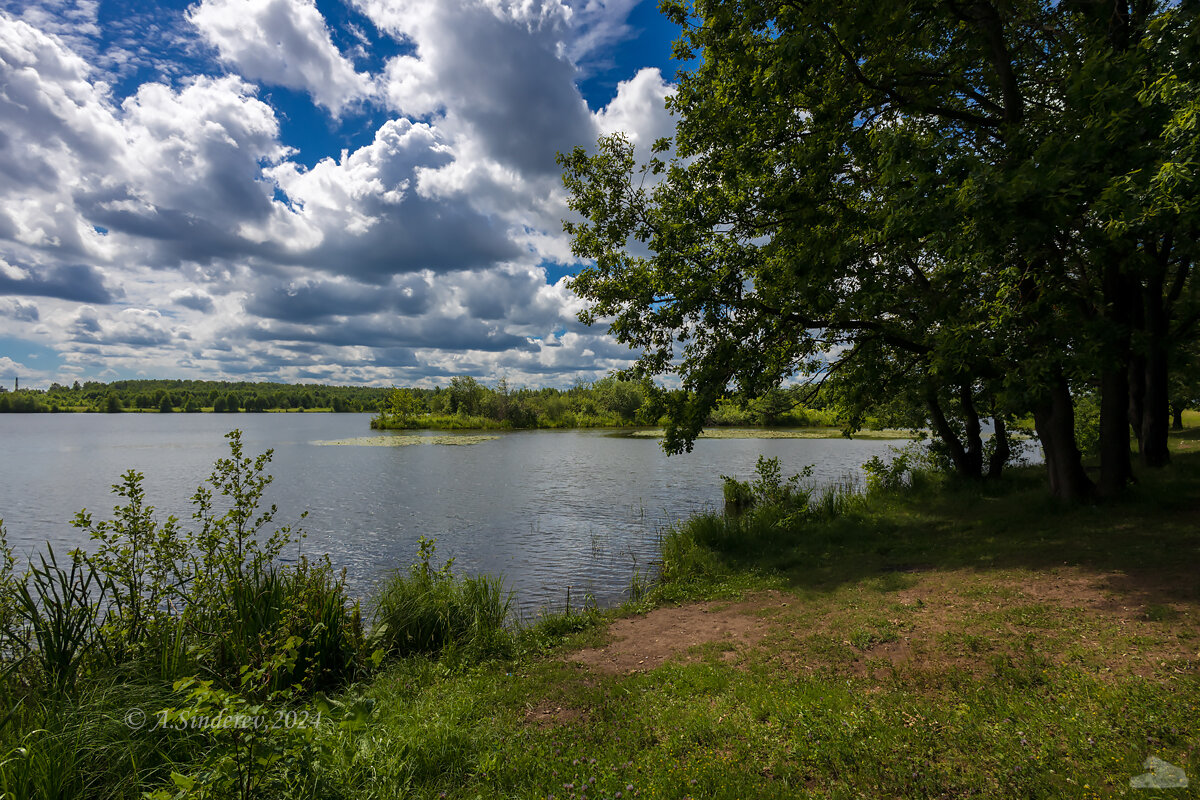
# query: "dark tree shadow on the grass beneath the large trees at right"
1148,542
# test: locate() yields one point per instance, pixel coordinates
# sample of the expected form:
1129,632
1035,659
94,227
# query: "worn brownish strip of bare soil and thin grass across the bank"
957,621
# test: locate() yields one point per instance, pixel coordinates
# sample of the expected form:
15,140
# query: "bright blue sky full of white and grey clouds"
343,191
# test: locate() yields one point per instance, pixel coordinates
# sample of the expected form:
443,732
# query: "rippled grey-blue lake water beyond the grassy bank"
547,509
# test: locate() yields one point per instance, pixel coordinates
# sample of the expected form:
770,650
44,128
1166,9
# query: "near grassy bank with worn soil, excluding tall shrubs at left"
941,641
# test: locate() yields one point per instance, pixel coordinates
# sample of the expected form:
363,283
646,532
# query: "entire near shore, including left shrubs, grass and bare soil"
921,636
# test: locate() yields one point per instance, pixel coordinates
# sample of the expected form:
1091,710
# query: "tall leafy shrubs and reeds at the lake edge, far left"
213,600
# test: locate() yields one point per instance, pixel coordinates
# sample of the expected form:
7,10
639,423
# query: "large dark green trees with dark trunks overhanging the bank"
973,204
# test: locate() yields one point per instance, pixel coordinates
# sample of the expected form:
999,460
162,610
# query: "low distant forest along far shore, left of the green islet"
171,396
